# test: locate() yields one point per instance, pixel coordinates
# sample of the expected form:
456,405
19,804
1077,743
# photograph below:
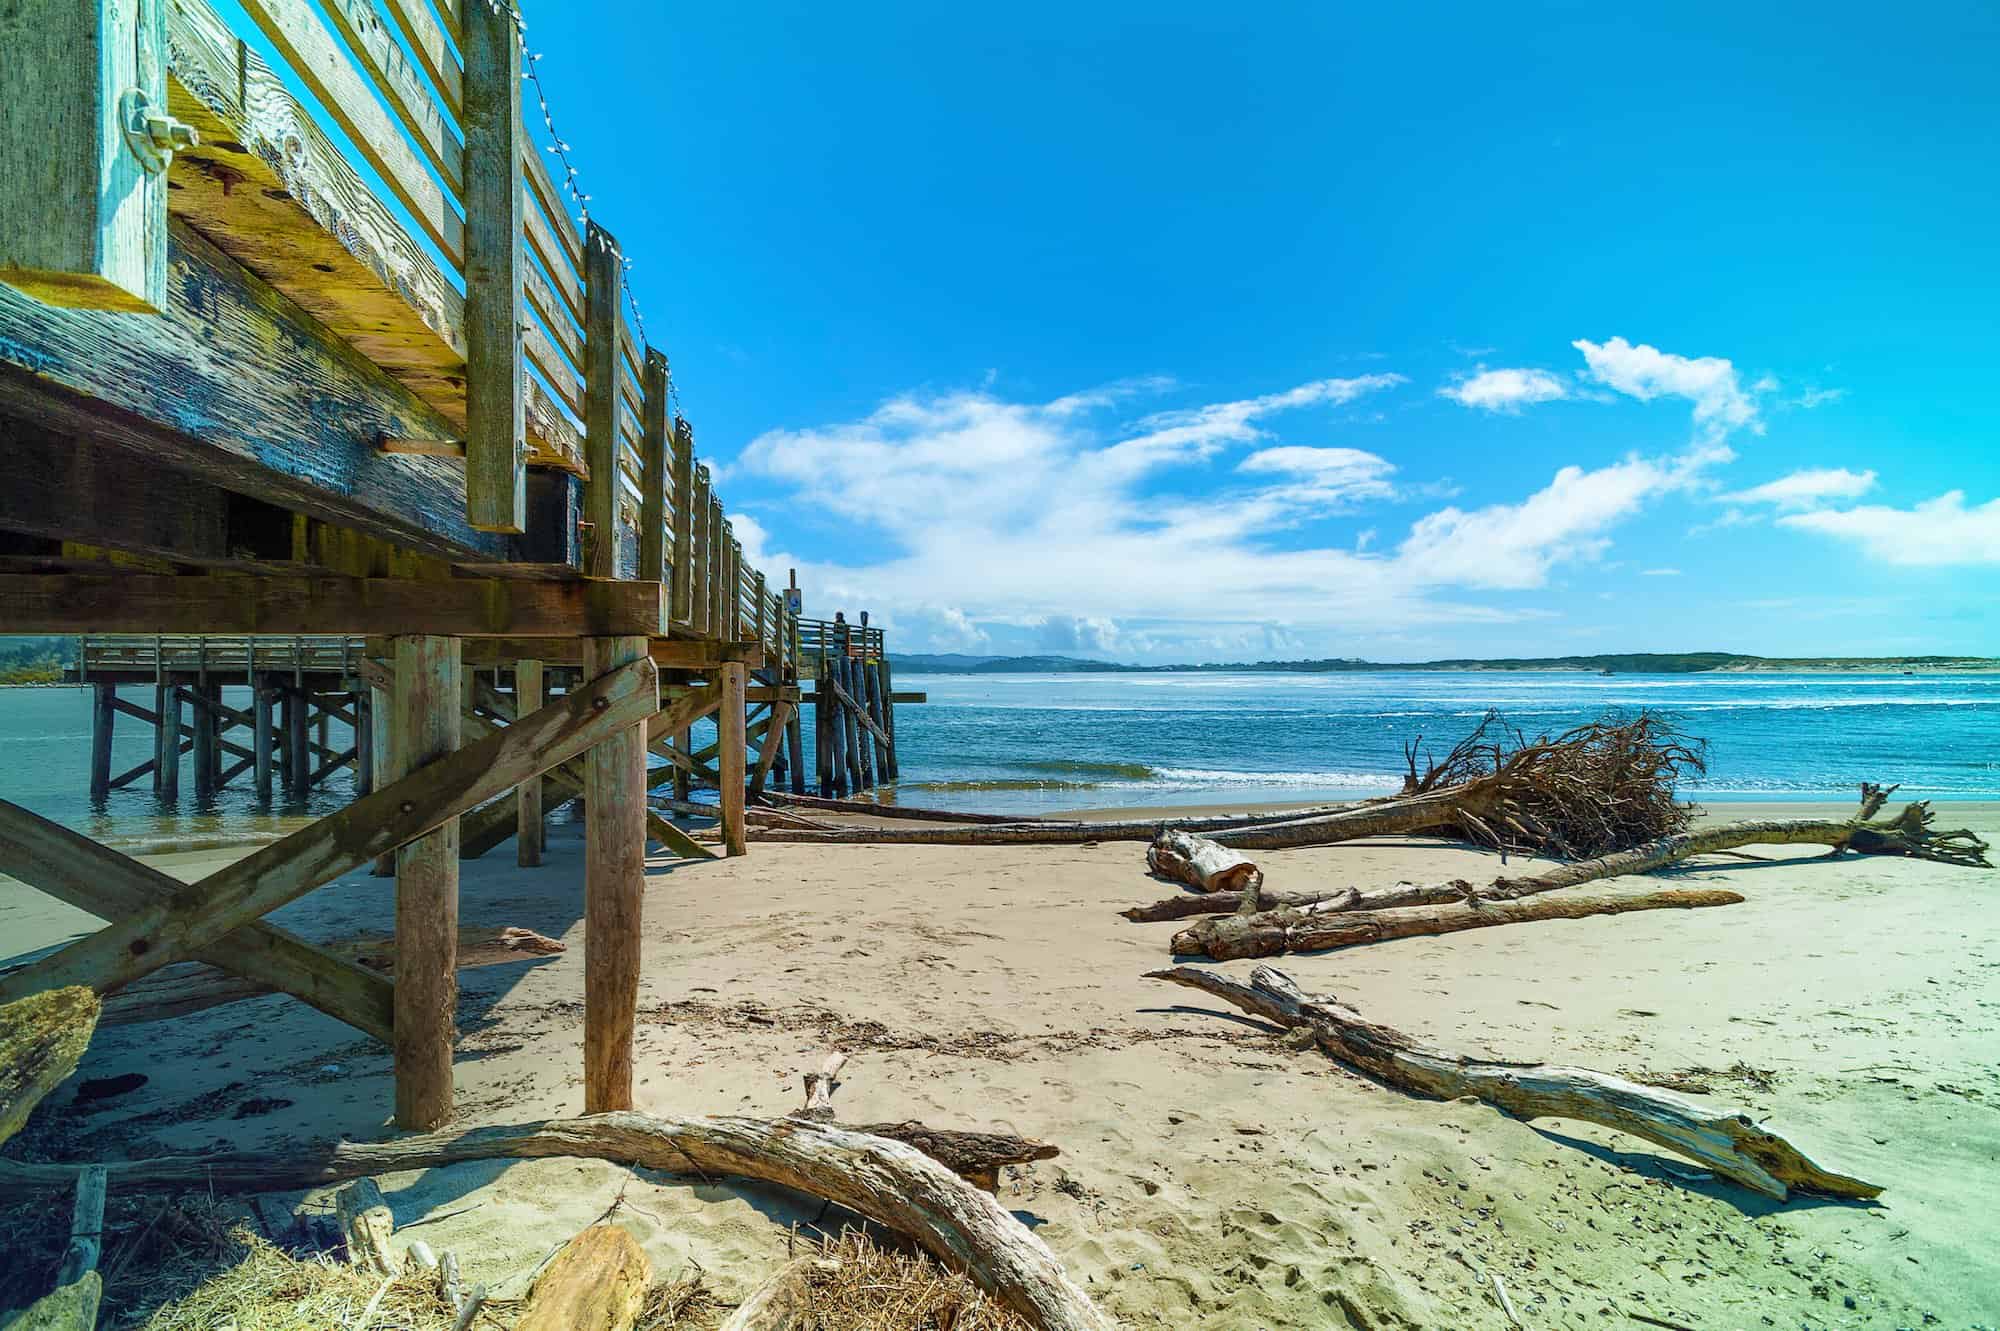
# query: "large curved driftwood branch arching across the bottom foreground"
889,1182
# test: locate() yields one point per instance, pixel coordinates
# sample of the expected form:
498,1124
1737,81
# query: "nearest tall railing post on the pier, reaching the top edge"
497,463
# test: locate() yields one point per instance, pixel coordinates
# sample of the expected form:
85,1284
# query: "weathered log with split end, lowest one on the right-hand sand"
1729,1144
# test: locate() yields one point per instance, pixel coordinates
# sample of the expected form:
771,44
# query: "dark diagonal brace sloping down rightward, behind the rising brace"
99,880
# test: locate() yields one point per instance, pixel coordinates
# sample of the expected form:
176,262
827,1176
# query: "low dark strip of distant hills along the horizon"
1617,663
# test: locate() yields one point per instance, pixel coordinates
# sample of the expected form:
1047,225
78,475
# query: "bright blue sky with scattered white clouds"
1213,333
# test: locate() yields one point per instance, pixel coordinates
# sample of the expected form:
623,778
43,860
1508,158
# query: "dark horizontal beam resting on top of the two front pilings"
239,605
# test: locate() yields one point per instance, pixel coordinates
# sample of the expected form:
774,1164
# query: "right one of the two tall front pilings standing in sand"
615,888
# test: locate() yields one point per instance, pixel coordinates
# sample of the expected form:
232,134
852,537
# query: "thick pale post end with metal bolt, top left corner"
83,209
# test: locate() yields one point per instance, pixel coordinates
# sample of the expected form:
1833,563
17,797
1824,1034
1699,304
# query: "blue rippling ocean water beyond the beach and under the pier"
1063,742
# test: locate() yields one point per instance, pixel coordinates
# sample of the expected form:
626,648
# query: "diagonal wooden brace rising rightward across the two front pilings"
321,852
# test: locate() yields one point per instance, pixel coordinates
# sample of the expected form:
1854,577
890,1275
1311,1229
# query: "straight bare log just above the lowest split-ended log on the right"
1271,934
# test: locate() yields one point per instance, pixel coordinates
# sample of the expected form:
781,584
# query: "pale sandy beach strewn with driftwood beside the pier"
1211,1174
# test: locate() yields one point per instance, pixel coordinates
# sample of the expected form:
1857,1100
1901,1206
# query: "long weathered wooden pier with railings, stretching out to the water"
349,411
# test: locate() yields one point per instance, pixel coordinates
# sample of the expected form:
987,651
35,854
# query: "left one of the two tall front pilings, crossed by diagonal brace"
427,892
